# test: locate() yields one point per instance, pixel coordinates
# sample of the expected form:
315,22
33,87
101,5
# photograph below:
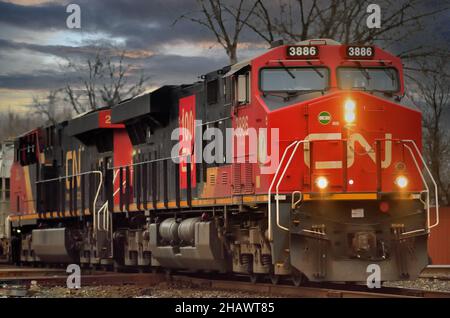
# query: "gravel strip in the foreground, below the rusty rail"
162,290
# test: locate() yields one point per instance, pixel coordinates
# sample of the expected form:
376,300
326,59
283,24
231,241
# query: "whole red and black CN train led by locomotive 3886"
320,177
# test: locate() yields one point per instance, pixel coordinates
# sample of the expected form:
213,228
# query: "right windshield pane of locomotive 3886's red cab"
370,79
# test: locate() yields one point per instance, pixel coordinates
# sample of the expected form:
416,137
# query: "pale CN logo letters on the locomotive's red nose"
351,142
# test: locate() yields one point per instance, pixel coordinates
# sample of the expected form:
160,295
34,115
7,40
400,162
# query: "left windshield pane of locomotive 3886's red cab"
292,79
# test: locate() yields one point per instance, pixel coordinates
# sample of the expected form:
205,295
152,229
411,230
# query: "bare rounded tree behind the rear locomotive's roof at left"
104,81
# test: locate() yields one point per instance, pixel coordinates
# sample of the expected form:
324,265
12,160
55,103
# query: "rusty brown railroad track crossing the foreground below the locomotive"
16,282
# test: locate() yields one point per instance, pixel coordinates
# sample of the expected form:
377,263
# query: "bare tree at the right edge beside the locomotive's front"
432,96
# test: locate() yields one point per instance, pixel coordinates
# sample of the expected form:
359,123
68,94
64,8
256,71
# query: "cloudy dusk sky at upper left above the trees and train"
35,42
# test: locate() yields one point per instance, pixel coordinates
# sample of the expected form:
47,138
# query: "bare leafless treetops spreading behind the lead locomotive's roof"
298,20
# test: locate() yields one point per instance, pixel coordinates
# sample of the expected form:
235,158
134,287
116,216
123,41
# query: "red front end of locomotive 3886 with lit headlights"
350,190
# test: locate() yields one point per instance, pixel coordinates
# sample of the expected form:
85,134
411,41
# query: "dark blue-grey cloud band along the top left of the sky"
141,23
